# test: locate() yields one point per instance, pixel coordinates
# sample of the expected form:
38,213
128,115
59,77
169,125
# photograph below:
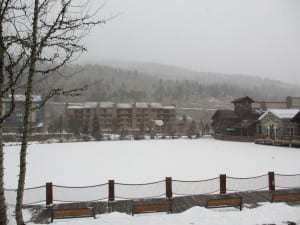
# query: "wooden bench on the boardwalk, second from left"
152,207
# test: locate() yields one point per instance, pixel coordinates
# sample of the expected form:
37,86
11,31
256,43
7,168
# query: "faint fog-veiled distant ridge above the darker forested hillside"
178,73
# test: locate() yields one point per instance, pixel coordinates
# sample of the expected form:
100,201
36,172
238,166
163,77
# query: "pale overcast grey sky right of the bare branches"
255,37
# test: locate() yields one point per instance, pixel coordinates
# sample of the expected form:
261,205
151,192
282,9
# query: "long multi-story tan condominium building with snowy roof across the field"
113,117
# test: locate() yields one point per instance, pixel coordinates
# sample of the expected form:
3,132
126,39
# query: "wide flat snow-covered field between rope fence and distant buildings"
90,163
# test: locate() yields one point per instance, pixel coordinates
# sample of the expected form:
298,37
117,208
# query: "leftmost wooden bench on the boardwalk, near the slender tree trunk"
72,213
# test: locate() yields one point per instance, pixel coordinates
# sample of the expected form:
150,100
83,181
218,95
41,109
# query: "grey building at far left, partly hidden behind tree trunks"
14,123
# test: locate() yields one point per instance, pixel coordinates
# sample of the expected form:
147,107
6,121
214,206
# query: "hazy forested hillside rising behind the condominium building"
185,88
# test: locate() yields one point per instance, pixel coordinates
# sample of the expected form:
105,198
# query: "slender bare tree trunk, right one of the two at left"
26,119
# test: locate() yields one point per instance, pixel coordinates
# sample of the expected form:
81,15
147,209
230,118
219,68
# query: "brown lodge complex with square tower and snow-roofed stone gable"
274,120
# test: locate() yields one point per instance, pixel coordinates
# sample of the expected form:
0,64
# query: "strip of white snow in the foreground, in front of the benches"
276,213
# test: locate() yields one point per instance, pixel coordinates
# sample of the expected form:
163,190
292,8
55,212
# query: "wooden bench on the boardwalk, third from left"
225,202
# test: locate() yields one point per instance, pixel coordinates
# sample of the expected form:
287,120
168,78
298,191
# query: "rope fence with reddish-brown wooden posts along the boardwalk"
111,191
